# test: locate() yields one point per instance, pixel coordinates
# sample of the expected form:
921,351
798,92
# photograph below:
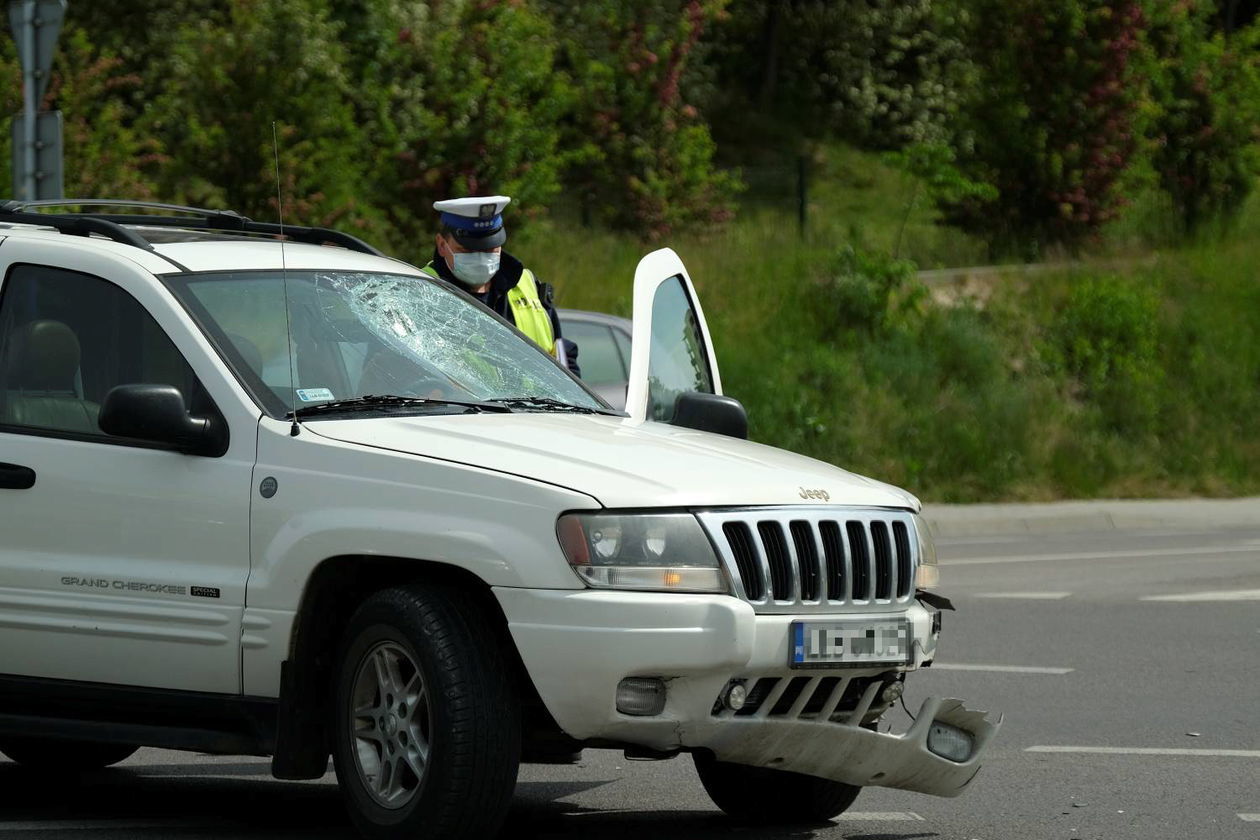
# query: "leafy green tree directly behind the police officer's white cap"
462,99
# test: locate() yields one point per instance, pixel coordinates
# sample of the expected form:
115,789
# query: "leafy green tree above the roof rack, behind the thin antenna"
273,64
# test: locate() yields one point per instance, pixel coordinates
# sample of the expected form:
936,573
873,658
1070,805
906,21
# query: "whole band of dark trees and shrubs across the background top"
1025,122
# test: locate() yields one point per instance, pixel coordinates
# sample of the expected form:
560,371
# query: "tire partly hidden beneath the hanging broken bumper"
769,797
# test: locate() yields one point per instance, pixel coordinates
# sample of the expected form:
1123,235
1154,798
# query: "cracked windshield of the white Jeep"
360,334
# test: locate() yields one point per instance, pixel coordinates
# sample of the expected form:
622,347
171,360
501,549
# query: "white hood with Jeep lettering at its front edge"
619,463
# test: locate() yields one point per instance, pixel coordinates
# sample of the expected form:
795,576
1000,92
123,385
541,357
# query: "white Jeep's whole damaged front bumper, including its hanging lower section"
579,645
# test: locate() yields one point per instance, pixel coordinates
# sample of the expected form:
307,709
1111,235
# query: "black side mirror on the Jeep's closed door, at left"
157,414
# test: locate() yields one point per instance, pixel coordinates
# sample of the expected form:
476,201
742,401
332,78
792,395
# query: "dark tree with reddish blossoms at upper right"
1054,118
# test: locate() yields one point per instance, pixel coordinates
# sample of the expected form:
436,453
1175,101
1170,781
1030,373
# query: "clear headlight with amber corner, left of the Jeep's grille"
657,552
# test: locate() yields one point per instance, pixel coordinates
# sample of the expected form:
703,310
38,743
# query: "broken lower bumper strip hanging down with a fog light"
941,755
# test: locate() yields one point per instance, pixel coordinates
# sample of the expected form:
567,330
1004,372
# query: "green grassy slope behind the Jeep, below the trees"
1087,383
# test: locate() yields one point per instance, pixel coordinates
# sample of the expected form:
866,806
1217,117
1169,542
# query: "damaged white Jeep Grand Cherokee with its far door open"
289,497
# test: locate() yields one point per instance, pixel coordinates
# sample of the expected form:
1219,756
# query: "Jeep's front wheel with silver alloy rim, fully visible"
428,722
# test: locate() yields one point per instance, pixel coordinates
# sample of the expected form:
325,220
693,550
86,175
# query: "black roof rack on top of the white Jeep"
110,226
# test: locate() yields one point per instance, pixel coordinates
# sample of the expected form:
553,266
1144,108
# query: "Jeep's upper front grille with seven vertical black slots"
817,560
